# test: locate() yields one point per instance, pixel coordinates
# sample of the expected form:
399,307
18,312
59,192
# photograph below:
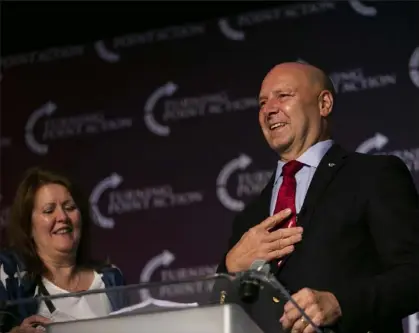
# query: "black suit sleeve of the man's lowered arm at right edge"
392,215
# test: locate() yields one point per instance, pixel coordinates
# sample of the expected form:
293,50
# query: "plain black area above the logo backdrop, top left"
32,25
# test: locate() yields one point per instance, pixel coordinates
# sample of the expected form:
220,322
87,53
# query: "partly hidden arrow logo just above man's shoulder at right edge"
377,142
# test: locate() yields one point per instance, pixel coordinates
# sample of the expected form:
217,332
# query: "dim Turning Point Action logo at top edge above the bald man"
254,18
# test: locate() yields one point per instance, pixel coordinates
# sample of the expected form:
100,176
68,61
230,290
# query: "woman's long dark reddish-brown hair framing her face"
19,228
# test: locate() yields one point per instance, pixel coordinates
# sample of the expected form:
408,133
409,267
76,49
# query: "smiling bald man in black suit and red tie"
340,229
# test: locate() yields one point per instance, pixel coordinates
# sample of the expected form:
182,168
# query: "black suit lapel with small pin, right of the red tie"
330,164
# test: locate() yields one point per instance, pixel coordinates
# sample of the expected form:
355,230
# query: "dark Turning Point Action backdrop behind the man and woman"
161,127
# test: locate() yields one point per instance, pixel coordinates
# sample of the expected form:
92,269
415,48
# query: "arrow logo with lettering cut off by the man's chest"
248,183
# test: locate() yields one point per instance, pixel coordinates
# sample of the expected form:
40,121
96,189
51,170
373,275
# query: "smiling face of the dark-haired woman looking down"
56,221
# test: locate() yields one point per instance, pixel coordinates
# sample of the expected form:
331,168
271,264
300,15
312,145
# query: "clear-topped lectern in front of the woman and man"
201,305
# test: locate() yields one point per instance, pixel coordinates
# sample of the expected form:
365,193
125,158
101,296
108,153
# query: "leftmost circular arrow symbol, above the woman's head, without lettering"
45,110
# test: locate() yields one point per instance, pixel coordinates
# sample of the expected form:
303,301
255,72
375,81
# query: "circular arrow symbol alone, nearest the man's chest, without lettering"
240,163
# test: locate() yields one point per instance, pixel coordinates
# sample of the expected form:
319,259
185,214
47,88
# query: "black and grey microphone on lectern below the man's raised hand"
249,287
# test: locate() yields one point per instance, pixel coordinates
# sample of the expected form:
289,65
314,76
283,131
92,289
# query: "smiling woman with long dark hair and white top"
48,253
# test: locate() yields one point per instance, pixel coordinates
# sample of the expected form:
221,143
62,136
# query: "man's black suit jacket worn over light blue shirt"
360,242
